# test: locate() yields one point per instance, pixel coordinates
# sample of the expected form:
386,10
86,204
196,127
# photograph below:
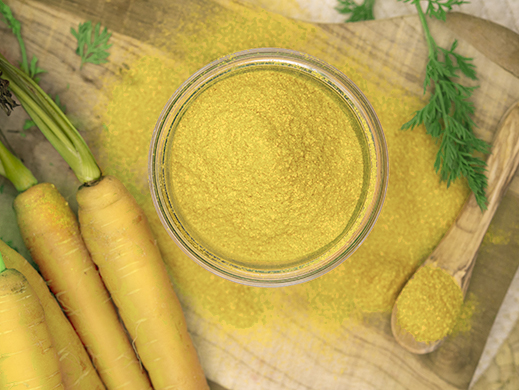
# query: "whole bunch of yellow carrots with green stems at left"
113,319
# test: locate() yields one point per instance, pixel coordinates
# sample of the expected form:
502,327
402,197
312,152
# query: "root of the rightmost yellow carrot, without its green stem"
118,236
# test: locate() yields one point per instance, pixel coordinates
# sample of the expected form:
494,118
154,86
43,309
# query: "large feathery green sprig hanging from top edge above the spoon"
447,115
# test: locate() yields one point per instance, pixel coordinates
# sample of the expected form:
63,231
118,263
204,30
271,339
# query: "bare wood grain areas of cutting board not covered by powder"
393,53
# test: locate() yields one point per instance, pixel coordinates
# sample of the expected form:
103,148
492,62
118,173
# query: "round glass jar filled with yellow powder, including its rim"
197,227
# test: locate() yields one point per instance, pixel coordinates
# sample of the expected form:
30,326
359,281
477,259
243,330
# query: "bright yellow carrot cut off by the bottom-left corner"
28,359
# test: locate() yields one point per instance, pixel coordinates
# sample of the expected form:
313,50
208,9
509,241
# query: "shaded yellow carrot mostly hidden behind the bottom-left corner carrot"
76,368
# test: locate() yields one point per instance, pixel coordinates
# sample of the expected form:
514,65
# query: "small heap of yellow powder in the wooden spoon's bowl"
430,304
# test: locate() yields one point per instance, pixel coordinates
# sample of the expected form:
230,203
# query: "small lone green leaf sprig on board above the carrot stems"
90,48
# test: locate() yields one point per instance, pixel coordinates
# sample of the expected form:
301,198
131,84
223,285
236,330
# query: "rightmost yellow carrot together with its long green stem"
119,239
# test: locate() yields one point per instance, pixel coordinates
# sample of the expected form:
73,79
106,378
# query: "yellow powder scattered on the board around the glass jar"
417,211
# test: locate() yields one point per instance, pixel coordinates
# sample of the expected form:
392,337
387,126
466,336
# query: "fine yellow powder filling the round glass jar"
269,166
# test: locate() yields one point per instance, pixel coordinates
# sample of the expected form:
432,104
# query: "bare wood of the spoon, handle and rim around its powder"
457,251
